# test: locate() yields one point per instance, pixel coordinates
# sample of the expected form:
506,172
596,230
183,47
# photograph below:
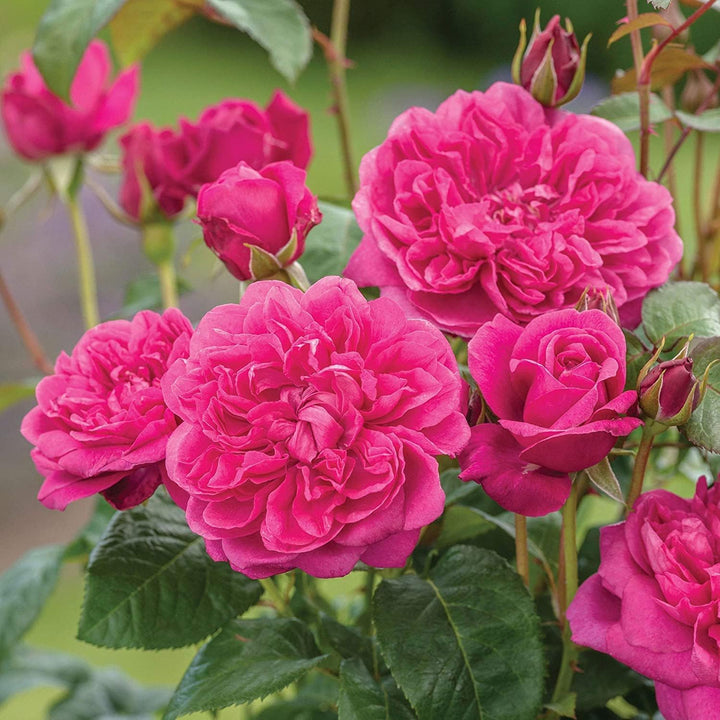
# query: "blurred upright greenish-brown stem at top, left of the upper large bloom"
335,56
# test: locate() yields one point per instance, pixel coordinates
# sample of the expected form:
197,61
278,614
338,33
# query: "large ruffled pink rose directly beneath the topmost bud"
494,205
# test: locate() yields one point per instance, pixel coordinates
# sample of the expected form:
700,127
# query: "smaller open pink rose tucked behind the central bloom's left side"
101,424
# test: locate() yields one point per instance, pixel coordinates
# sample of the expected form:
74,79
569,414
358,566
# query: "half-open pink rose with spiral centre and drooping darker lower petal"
556,387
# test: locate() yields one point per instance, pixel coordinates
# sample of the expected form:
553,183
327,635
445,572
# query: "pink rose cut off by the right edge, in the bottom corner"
654,603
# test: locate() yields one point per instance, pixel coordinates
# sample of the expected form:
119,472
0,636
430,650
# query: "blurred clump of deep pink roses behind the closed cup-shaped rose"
176,163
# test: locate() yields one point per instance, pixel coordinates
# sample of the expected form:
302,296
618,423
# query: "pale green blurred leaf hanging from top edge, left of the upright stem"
280,26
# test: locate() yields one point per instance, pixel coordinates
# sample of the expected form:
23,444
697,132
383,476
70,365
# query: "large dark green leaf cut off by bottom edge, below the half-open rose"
464,643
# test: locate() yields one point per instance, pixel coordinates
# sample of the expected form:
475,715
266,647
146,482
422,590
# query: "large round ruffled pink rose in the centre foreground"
311,426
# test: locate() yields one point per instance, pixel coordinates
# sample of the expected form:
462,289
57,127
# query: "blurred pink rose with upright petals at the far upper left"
39,124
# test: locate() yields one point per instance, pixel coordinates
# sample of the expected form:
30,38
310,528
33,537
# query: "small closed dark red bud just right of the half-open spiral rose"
669,393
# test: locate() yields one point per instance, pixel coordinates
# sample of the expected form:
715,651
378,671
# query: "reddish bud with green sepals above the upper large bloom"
552,68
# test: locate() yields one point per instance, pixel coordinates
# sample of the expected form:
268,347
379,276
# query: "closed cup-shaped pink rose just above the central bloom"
266,209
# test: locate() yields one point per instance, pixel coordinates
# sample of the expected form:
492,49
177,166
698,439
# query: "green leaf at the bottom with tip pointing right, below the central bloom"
248,660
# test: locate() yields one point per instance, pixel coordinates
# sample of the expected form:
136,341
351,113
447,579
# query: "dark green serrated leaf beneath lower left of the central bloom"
150,583
